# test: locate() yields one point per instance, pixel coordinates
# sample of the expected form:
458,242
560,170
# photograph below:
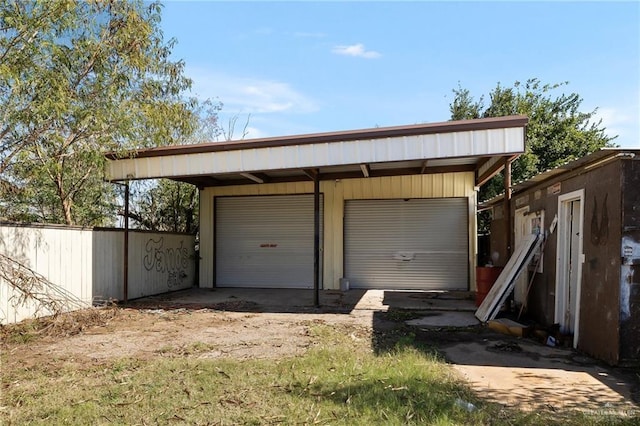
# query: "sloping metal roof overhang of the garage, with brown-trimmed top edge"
482,146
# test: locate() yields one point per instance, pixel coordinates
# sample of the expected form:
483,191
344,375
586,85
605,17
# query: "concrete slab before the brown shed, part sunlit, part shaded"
530,376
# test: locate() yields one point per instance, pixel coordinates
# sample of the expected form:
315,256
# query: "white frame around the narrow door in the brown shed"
562,260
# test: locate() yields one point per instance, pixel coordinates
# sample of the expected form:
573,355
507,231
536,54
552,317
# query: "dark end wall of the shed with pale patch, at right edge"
630,264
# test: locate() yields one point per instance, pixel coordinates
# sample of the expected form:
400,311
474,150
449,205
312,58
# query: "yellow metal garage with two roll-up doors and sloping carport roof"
390,207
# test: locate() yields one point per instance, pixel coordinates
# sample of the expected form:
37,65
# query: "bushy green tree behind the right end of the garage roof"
557,131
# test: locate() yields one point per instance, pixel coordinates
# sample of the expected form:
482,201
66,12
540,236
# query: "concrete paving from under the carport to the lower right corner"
513,371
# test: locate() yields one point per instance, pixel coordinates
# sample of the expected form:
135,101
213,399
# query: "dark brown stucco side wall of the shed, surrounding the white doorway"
600,280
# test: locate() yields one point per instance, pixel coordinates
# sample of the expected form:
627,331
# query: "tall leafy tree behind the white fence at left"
78,78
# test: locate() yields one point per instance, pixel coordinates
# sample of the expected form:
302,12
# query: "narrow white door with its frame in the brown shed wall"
569,262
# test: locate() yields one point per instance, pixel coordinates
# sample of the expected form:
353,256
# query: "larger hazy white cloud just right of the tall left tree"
248,95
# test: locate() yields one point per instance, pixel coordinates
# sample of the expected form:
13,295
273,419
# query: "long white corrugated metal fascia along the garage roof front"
406,148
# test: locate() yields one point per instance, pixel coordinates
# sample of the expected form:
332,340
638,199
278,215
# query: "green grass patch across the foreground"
340,381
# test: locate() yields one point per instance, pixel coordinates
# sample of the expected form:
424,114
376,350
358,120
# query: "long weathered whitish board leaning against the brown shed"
507,279
